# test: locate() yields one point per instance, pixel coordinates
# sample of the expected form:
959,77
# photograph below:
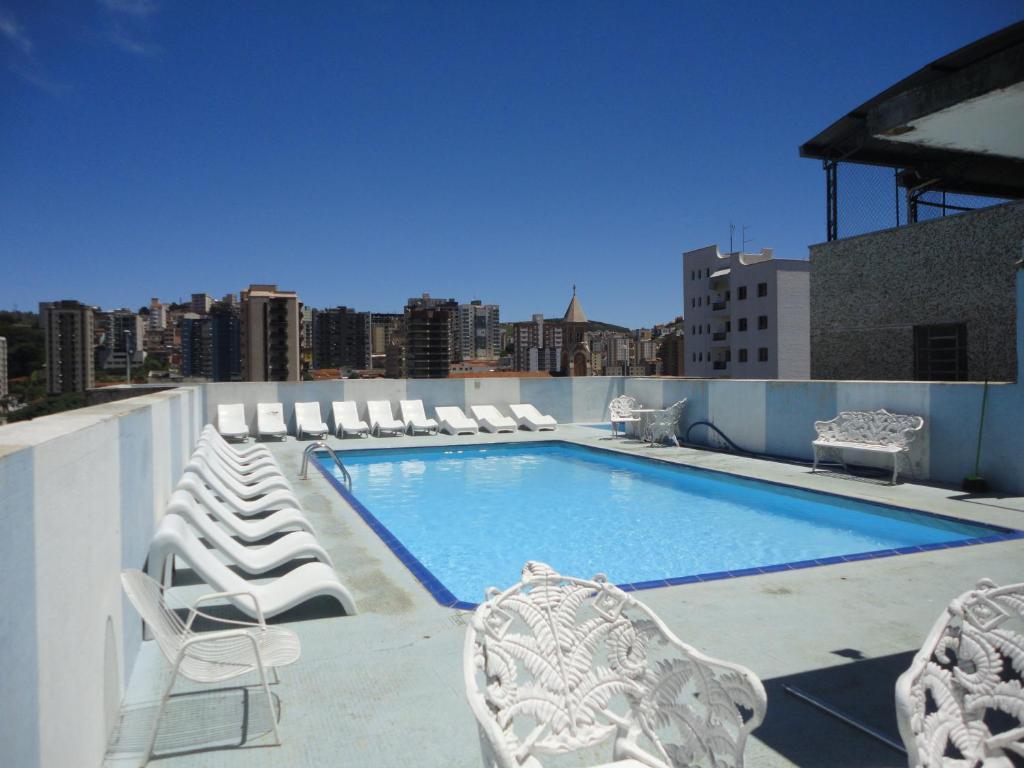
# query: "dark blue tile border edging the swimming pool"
444,596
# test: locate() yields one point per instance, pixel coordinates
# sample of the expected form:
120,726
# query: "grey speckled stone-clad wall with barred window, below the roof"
870,291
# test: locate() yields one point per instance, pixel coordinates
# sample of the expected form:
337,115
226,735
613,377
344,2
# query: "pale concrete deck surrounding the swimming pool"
386,688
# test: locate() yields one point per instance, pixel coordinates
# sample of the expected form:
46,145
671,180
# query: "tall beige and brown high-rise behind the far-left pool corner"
270,334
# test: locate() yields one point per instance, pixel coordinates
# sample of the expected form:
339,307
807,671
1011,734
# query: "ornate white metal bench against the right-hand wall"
867,431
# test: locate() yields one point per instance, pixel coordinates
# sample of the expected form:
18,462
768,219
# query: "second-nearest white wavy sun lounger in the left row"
294,546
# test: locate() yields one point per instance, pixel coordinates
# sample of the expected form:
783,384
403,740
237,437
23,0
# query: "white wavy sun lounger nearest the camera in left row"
175,538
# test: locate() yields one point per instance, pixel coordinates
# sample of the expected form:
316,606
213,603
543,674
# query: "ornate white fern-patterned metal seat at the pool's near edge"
557,665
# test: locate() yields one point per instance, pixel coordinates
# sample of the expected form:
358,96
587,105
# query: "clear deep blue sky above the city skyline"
363,153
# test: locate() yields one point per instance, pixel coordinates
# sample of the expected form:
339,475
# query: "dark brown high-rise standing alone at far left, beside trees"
68,332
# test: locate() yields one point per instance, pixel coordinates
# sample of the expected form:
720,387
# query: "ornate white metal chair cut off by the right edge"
962,703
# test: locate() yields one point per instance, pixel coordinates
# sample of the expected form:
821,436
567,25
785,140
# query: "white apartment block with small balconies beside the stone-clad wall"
747,316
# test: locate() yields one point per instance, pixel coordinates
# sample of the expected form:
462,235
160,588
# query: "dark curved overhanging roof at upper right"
957,125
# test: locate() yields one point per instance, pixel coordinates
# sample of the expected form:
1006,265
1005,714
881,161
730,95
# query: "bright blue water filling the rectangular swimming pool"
474,517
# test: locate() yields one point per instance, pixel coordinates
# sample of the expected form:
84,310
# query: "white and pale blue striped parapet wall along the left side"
80,494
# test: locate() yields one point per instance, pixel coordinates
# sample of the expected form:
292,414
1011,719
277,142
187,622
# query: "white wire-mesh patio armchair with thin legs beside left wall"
209,657
